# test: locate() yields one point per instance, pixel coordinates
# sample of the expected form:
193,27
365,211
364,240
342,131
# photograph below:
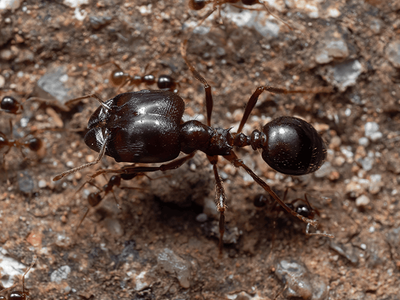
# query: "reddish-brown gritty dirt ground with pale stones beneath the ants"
162,242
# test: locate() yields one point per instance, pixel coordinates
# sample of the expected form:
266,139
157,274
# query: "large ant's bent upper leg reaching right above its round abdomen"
274,90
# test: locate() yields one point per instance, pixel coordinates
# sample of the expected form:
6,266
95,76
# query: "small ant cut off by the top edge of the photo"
200,4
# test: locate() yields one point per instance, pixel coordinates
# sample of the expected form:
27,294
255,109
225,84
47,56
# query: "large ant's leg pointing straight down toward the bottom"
219,200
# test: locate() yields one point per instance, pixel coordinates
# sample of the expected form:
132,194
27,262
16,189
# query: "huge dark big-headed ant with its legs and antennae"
147,127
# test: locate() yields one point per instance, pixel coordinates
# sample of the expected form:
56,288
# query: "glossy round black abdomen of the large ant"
293,146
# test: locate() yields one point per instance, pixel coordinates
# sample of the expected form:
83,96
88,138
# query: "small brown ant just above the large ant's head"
119,79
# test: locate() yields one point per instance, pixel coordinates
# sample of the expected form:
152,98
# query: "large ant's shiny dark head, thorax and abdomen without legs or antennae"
147,127
